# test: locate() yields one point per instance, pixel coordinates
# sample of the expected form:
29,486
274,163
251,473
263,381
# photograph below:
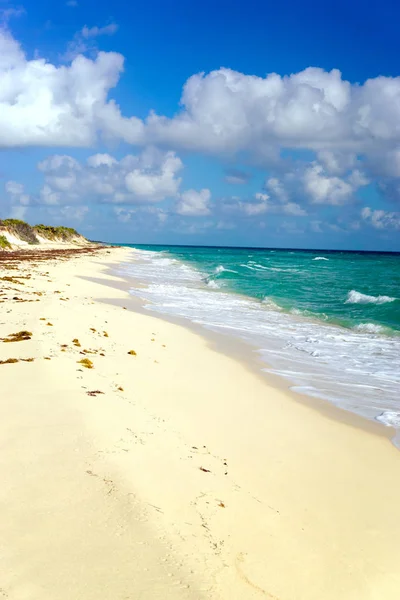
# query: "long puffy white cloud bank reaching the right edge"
228,111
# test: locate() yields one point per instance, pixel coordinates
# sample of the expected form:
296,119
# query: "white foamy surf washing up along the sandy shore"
358,370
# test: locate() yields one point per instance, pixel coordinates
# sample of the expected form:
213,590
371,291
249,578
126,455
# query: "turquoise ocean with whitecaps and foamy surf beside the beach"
328,322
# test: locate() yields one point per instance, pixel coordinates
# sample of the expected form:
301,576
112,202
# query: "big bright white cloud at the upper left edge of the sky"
45,105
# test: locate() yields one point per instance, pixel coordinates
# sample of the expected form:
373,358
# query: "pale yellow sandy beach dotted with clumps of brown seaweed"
168,470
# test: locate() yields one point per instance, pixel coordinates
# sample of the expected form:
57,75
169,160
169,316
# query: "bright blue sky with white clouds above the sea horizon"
224,123
